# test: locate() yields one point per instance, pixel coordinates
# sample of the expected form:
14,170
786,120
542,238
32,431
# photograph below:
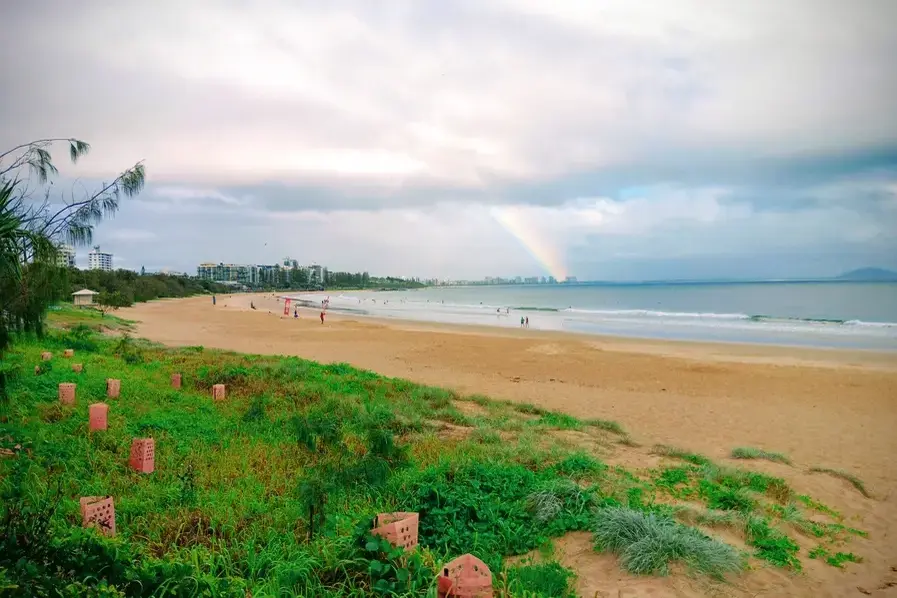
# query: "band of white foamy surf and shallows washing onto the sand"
636,323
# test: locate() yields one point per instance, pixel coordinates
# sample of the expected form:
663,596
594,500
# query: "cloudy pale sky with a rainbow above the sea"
609,140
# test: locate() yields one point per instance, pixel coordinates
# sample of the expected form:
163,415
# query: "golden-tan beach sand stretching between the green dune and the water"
835,409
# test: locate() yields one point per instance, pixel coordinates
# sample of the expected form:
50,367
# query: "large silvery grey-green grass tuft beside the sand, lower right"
647,543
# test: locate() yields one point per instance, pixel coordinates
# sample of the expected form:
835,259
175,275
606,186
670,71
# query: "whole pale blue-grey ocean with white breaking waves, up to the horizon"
814,314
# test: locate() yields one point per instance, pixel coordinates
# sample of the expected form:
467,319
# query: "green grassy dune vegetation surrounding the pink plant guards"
272,491
